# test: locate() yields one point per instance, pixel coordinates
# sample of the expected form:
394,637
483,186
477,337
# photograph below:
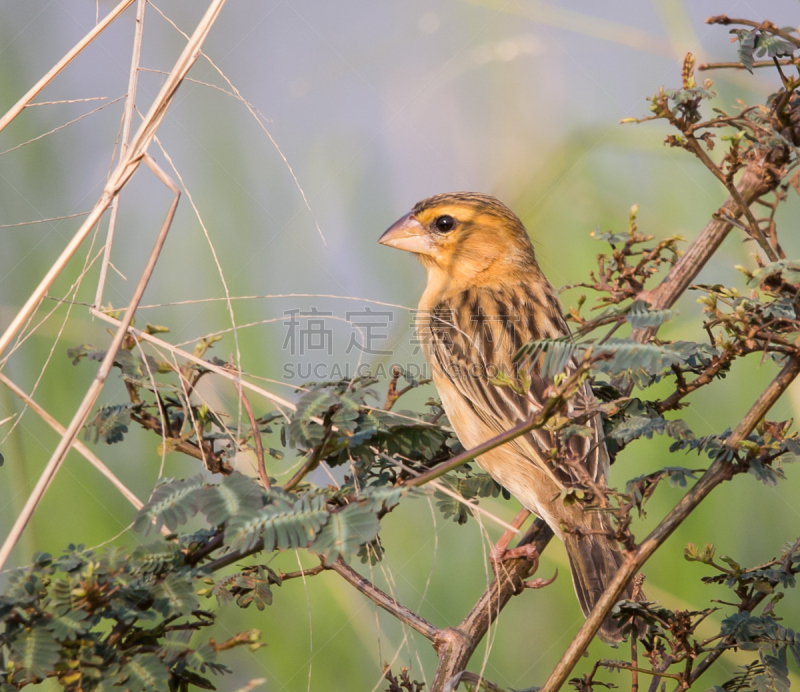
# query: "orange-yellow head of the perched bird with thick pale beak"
466,237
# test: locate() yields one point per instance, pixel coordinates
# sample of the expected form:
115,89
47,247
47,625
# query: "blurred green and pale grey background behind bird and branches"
375,106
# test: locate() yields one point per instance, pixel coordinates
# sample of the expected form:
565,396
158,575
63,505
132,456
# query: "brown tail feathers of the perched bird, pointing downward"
594,560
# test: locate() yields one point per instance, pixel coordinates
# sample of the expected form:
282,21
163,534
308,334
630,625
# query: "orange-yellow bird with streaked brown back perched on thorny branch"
486,296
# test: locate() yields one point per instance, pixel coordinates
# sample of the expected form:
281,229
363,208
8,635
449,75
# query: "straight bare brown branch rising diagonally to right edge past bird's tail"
720,470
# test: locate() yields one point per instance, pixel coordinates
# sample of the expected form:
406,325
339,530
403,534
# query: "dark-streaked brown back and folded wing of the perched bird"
473,338
